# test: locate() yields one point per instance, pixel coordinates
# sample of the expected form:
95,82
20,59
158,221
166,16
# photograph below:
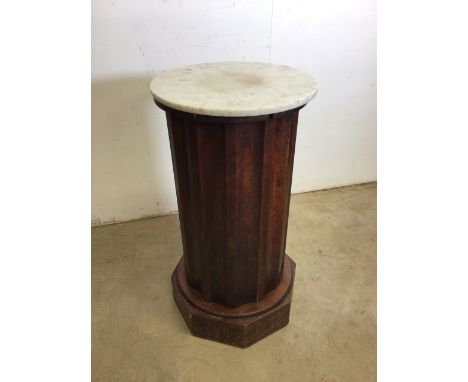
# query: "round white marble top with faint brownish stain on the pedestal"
233,89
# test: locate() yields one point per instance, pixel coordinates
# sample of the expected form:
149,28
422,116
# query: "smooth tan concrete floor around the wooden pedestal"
139,335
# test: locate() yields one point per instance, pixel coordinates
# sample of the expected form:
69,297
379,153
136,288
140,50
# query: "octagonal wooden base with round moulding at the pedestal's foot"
240,332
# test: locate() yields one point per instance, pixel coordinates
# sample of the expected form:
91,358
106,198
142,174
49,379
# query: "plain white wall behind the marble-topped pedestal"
333,40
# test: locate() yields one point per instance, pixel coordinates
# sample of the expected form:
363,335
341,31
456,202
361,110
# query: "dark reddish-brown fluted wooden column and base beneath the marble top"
233,181
